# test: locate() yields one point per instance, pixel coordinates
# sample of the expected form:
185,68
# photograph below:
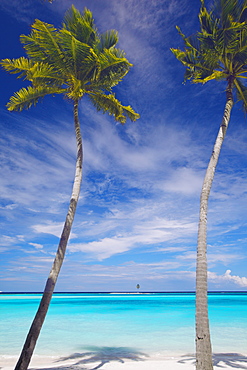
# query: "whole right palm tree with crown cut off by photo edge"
217,52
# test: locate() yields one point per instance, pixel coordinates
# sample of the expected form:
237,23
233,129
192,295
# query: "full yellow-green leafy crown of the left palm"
74,60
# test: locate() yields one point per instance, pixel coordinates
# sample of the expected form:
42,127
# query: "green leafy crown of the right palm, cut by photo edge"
219,50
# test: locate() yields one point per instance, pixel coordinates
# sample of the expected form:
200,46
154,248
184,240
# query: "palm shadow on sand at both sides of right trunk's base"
233,360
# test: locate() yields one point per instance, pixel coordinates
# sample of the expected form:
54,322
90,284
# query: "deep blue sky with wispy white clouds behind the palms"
137,217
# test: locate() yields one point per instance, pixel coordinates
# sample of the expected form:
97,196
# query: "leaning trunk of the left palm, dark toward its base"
38,321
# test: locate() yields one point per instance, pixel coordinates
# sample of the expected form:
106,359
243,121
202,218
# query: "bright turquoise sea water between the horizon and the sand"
155,324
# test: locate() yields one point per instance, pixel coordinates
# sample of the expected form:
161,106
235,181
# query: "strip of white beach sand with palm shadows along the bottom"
82,362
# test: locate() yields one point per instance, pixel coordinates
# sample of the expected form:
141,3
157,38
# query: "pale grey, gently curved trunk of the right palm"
203,342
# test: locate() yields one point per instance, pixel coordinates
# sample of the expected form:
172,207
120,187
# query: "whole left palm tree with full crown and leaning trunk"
74,60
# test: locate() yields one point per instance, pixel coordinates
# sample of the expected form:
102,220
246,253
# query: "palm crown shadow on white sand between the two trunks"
97,357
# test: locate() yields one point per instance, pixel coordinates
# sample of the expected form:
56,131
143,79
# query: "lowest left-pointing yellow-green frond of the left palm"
26,97
